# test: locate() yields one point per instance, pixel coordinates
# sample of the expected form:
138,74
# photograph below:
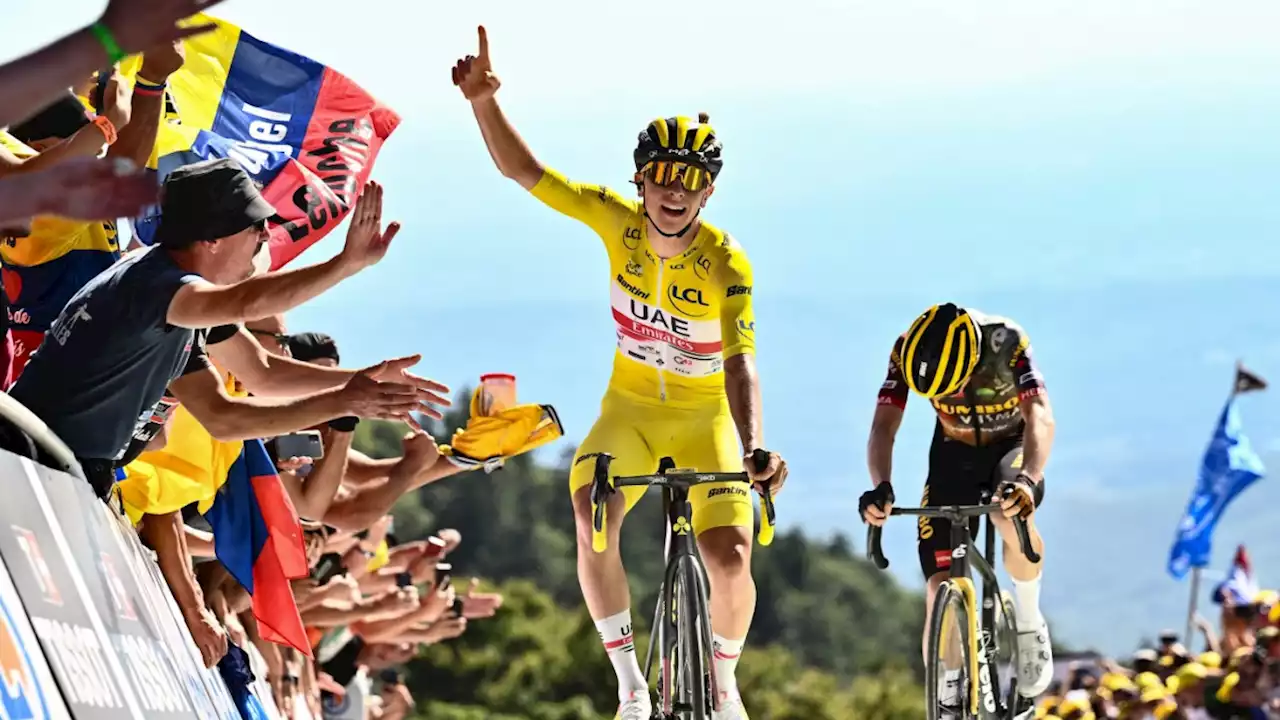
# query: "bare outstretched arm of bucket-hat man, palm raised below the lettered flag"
205,306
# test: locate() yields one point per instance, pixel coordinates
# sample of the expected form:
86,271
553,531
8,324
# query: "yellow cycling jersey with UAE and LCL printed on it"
678,321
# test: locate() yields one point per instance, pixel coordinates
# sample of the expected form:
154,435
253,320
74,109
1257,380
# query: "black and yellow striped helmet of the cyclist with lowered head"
940,352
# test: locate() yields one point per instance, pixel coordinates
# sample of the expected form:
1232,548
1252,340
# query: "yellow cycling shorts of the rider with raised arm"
703,439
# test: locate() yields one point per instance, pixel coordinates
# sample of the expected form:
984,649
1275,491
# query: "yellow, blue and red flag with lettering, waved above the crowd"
304,131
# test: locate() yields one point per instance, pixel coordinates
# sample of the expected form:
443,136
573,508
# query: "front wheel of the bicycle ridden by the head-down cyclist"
948,677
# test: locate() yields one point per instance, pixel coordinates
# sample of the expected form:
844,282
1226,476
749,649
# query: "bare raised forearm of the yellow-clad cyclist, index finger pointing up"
476,79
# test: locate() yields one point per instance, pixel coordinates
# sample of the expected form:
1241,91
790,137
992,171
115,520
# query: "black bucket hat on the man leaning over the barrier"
209,200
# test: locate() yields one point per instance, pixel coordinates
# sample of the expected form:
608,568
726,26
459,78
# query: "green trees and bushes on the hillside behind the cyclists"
833,637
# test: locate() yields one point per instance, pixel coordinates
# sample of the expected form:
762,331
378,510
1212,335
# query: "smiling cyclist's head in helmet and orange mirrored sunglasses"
678,161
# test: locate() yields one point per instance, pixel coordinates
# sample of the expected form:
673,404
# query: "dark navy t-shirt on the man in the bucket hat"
109,357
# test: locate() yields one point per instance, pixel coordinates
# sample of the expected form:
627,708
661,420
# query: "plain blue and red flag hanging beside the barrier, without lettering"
259,540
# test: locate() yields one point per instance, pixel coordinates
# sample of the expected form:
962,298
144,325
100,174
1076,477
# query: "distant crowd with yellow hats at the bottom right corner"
1233,676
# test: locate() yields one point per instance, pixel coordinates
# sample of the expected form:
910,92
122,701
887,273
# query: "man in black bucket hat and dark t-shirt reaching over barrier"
144,325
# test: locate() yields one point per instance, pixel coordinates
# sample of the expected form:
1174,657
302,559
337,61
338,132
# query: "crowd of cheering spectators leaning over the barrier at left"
188,336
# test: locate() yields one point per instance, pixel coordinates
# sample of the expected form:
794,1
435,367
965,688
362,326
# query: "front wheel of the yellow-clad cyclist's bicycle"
694,646
